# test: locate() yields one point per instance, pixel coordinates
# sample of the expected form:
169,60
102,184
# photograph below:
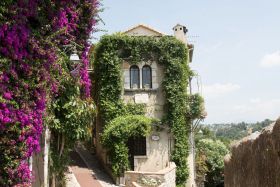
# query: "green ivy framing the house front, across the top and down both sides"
109,54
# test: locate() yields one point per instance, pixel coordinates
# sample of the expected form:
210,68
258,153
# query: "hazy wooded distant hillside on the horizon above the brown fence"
235,131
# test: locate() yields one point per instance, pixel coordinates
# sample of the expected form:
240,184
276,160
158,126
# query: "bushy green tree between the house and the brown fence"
210,161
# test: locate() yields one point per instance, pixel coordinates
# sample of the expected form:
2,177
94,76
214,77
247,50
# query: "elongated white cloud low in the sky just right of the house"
218,89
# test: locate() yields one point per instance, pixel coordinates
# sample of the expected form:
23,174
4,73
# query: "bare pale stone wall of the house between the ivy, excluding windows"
158,152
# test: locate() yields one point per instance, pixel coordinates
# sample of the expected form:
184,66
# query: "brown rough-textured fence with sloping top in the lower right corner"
255,160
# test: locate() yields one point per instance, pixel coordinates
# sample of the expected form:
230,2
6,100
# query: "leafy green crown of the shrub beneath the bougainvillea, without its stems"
71,115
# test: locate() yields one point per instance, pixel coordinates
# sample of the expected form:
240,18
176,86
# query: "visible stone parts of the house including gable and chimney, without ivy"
142,84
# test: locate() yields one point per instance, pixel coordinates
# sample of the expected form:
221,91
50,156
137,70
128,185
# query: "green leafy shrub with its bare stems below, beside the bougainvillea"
69,118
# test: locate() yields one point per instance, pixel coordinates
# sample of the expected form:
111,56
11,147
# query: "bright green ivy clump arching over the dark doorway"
130,122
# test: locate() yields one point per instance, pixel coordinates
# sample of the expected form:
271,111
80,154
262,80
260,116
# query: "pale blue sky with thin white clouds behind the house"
237,49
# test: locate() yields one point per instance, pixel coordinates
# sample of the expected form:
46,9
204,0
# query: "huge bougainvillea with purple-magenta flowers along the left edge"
36,37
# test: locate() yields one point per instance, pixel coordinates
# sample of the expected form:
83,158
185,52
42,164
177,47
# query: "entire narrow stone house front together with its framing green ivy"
143,107
